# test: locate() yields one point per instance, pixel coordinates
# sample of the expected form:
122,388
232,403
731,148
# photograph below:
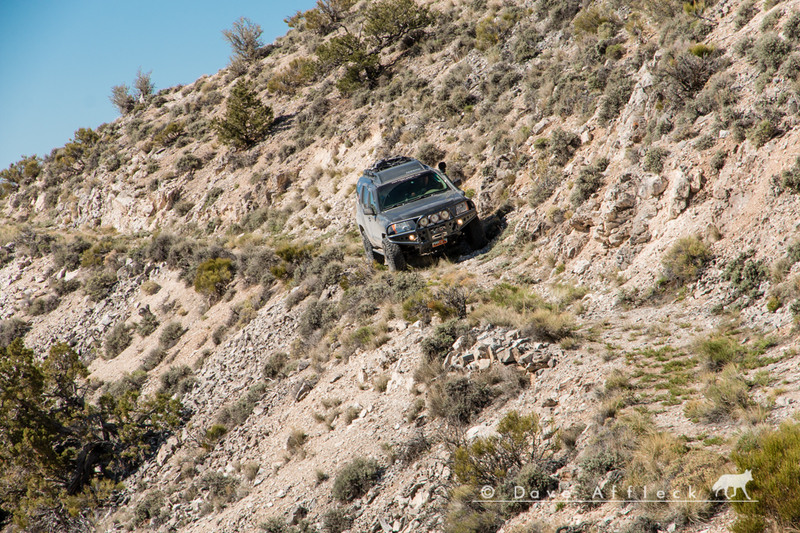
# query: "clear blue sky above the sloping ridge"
60,58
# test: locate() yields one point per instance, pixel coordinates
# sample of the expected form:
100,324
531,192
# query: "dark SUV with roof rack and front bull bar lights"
404,206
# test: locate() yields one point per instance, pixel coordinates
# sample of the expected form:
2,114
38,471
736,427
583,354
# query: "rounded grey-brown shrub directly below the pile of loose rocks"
459,399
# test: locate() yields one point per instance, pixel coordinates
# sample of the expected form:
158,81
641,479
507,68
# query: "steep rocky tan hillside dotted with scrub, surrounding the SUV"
632,322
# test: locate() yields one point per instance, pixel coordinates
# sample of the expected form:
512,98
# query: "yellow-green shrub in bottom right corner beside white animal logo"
773,457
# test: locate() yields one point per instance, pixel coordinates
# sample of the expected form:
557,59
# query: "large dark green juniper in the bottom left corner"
59,450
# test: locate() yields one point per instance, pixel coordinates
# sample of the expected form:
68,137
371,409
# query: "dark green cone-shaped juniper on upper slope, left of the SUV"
247,120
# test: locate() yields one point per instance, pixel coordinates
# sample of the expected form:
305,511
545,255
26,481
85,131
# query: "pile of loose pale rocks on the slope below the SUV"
505,347
